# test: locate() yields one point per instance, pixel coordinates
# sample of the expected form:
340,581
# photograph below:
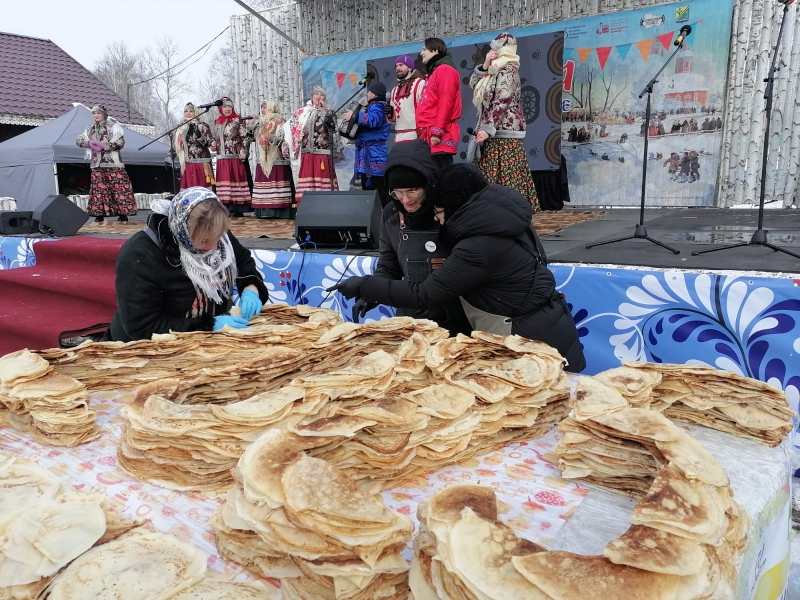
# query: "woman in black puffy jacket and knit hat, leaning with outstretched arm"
495,267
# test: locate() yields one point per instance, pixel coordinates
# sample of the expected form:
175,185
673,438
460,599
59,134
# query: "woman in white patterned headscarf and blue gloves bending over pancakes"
179,272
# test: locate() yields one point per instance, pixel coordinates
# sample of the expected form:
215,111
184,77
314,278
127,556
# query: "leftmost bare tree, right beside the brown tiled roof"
119,68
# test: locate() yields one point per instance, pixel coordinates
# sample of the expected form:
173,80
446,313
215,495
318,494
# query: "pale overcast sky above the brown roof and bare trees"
84,28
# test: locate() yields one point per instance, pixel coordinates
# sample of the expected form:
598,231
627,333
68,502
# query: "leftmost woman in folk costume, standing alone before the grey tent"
111,192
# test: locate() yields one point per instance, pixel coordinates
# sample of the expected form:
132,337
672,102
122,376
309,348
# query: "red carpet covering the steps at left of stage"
71,287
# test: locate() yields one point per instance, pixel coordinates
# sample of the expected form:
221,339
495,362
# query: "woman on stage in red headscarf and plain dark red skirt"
232,141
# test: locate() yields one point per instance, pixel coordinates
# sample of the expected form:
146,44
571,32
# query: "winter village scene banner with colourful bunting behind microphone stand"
608,61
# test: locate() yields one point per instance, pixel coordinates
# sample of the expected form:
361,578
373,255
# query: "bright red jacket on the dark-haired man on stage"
440,108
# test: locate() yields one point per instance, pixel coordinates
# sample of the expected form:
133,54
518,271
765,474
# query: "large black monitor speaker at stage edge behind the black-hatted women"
341,219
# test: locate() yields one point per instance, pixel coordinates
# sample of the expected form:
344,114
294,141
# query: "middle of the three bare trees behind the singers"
168,83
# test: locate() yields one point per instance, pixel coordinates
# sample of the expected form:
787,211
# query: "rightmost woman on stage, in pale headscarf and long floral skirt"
501,121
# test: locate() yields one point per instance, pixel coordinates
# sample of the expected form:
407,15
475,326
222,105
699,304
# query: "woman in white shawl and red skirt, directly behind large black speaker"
311,144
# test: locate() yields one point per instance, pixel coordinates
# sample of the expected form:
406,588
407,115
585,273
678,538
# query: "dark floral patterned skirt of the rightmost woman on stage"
503,162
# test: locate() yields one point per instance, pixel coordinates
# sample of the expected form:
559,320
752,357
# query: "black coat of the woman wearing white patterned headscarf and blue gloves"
154,295
